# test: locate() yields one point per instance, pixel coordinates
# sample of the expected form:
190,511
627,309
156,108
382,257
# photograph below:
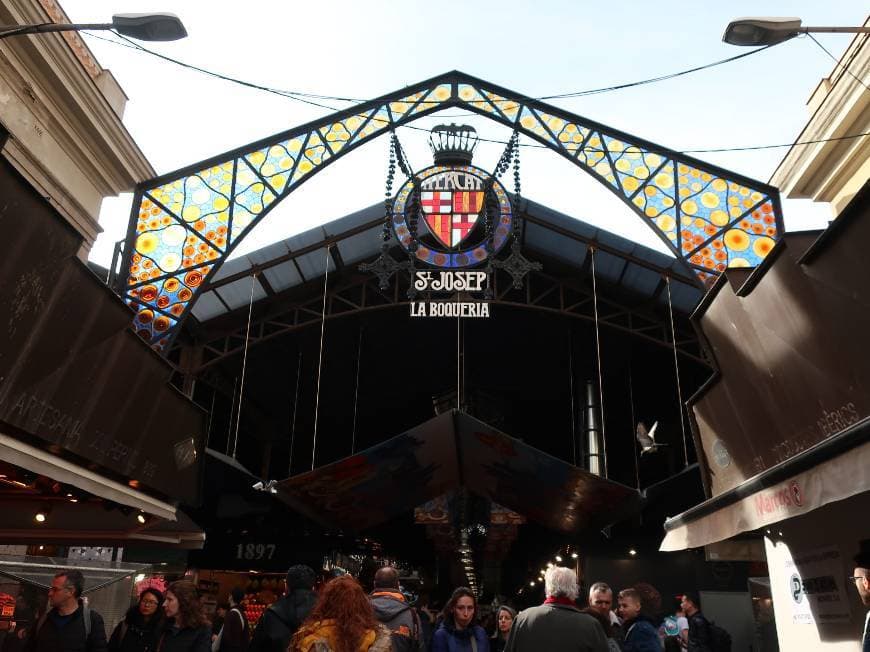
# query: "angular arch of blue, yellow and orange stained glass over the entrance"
184,224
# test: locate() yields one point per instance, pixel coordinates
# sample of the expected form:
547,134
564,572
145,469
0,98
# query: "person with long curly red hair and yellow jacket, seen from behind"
342,621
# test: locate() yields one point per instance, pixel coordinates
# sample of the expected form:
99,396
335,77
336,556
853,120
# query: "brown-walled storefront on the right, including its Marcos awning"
784,428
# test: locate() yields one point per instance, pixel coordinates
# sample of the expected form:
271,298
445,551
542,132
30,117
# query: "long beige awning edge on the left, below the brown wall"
42,462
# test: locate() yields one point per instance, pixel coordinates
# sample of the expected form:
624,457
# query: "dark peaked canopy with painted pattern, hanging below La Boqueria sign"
451,451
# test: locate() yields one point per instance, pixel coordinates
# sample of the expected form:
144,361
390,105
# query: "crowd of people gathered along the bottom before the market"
342,617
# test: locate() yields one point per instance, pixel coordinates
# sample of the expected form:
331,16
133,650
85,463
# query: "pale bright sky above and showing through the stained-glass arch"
364,49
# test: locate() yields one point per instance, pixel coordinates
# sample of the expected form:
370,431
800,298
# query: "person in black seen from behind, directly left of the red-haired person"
280,621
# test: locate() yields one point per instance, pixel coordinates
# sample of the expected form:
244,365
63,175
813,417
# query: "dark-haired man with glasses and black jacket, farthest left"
69,625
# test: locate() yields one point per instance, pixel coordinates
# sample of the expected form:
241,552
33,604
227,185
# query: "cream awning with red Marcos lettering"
835,469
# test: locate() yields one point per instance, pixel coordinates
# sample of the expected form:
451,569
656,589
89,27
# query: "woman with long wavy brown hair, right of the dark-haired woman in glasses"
186,629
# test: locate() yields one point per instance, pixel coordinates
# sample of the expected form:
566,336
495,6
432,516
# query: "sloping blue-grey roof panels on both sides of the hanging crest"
300,259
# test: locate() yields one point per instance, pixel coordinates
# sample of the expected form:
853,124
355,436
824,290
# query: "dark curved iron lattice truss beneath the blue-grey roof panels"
357,293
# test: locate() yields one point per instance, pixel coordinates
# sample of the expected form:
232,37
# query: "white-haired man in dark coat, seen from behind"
557,625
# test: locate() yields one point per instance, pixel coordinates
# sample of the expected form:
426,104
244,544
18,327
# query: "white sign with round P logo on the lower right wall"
817,587
